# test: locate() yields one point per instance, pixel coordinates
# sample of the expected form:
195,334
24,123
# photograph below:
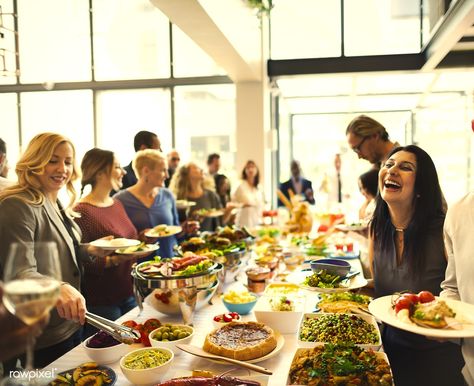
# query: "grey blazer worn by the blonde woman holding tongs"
20,222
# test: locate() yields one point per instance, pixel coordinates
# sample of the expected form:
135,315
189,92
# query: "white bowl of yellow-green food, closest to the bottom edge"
149,376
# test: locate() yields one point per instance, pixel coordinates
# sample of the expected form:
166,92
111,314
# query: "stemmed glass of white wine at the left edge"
32,279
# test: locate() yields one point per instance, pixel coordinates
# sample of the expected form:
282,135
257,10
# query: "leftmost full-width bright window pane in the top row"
54,41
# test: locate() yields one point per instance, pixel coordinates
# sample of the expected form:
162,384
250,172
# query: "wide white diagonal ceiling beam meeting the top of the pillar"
219,27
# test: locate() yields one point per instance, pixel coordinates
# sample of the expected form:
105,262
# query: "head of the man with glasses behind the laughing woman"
369,139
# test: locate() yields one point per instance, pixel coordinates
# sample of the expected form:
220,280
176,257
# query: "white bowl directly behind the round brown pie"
285,322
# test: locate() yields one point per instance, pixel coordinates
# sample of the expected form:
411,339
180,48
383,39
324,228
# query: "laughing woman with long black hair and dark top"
406,252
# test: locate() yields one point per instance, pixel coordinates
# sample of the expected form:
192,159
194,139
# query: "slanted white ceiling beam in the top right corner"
455,23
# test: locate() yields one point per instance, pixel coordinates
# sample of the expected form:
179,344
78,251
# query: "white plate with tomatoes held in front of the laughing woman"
382,309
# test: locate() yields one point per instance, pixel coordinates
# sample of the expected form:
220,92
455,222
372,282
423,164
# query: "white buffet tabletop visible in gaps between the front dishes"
184,363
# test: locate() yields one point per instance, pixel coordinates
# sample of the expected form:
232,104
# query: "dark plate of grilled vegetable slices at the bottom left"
86,373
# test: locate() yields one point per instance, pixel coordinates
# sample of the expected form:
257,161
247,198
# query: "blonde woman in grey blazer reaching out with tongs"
29,212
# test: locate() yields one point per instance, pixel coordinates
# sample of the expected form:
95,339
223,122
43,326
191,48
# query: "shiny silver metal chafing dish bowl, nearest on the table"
173,295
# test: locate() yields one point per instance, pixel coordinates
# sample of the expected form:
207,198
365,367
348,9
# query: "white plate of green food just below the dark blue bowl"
322,281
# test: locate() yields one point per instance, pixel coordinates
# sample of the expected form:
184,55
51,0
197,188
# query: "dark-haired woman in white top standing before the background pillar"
250,196
